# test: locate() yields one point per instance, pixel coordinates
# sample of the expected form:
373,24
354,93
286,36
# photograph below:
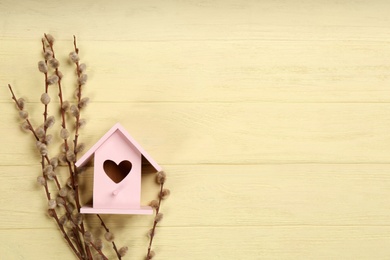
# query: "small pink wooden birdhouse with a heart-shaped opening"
117,174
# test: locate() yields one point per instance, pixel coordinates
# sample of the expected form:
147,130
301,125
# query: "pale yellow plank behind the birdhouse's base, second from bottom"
228,195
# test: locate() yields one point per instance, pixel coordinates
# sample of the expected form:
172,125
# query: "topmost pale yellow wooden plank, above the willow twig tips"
191,20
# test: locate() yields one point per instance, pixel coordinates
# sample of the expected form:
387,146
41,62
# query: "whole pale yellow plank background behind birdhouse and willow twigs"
271,118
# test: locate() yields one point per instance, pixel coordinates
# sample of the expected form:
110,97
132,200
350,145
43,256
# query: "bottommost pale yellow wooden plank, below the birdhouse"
306,242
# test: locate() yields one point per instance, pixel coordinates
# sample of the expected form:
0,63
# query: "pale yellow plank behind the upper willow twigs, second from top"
303,71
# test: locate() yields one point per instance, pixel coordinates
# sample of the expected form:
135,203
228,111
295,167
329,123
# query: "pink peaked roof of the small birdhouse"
128,138
